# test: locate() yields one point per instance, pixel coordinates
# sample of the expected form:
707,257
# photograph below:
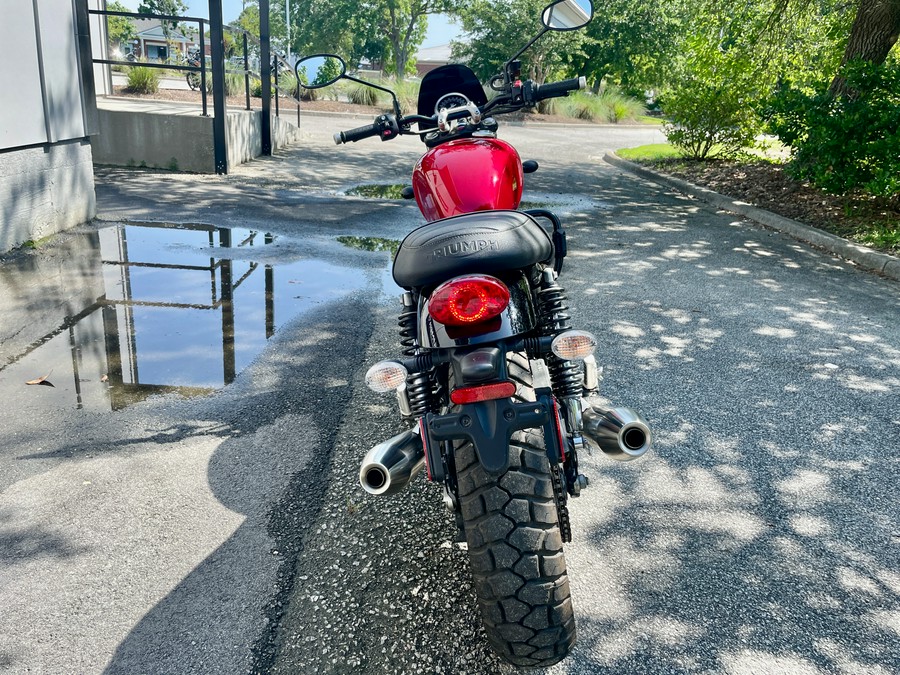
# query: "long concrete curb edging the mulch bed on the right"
866,258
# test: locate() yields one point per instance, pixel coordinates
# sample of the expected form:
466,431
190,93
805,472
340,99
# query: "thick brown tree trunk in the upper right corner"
874,33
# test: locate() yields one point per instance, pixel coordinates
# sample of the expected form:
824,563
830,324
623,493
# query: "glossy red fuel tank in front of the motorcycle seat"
466,175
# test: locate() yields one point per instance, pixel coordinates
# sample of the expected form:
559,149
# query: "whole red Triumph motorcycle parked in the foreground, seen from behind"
498,389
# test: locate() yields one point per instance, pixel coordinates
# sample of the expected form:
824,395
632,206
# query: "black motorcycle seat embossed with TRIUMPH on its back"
484,242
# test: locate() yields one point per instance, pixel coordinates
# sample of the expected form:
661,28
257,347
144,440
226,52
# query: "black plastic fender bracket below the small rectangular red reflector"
489,425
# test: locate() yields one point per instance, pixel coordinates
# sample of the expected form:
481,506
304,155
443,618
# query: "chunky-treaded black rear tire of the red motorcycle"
515,547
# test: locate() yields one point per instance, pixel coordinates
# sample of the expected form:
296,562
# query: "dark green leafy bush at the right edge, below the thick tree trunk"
844,143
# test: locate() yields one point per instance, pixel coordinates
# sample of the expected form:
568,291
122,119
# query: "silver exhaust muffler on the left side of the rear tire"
390,466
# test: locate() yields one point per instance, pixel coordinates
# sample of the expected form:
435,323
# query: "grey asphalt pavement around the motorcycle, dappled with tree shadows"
227,533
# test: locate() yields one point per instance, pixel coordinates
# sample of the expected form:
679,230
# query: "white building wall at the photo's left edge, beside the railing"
46,174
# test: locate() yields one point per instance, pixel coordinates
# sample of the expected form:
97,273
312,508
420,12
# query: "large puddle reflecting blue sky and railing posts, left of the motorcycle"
166,312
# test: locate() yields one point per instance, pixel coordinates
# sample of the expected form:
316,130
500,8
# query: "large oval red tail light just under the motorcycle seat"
467,300
